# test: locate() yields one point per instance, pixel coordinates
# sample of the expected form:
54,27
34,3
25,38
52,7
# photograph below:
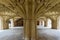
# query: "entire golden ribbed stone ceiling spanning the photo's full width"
25,7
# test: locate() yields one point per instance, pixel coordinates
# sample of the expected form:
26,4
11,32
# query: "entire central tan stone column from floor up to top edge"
30,30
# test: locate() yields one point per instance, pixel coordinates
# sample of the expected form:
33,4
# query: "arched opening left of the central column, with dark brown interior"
16,22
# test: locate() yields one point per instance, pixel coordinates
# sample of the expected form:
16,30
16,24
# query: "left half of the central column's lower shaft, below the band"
27,32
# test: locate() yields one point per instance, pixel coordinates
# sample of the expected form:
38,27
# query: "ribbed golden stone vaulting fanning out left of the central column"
13,7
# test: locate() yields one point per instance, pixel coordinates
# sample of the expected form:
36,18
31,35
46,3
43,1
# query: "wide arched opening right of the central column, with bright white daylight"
45,23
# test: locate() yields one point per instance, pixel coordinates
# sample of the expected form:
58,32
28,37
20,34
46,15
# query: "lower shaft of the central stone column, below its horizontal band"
30,29
